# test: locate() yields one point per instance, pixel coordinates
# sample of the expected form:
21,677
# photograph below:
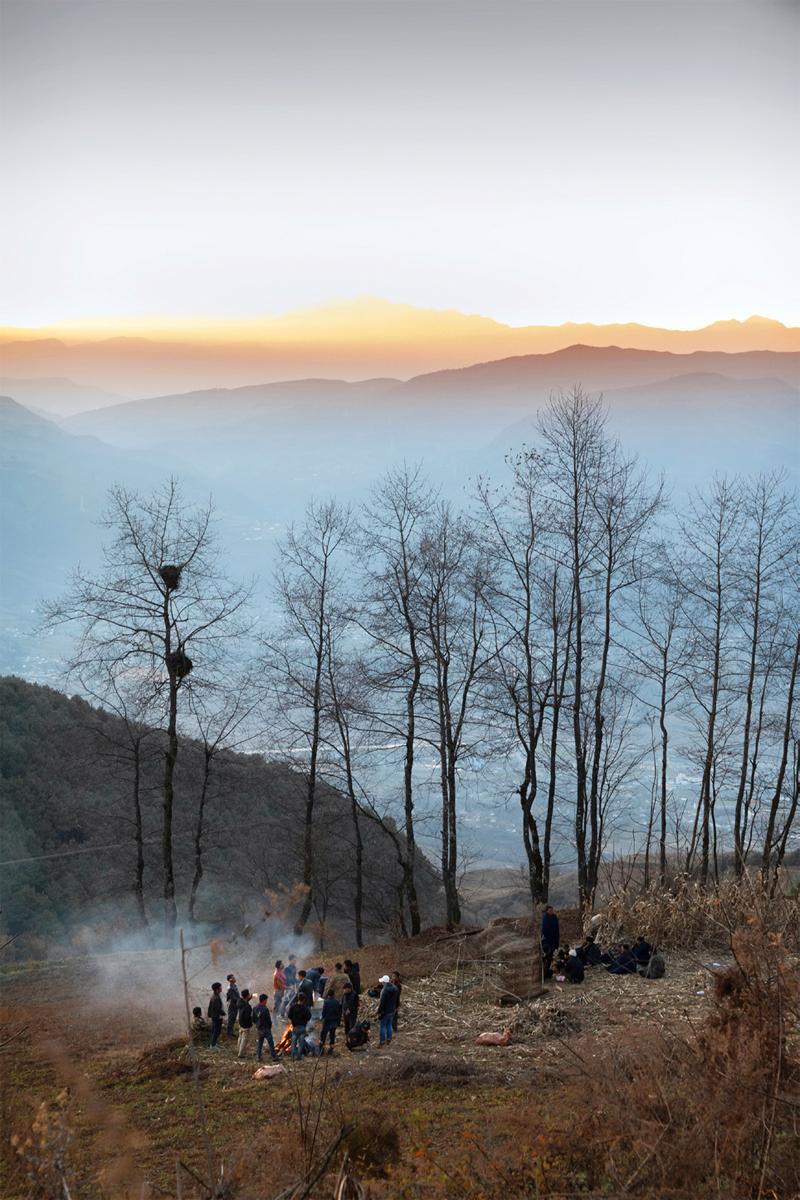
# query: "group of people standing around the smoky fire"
294,995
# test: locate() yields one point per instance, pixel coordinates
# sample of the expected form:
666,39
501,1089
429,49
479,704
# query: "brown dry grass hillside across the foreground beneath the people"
688,1087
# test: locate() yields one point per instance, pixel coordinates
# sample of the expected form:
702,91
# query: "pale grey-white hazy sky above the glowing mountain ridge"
534,161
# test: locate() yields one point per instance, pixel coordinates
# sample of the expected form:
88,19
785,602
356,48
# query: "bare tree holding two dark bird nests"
160,609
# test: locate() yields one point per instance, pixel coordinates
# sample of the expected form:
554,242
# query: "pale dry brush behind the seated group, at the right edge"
685,916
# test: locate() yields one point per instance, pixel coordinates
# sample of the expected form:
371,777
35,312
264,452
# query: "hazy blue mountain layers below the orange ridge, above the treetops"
264,451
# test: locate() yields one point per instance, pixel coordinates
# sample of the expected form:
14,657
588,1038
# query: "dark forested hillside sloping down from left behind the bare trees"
69,829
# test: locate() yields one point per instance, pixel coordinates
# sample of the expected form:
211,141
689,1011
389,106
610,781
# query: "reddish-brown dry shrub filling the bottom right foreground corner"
714,1114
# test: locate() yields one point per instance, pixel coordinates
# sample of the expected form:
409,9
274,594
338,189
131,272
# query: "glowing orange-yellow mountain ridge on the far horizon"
354,341
